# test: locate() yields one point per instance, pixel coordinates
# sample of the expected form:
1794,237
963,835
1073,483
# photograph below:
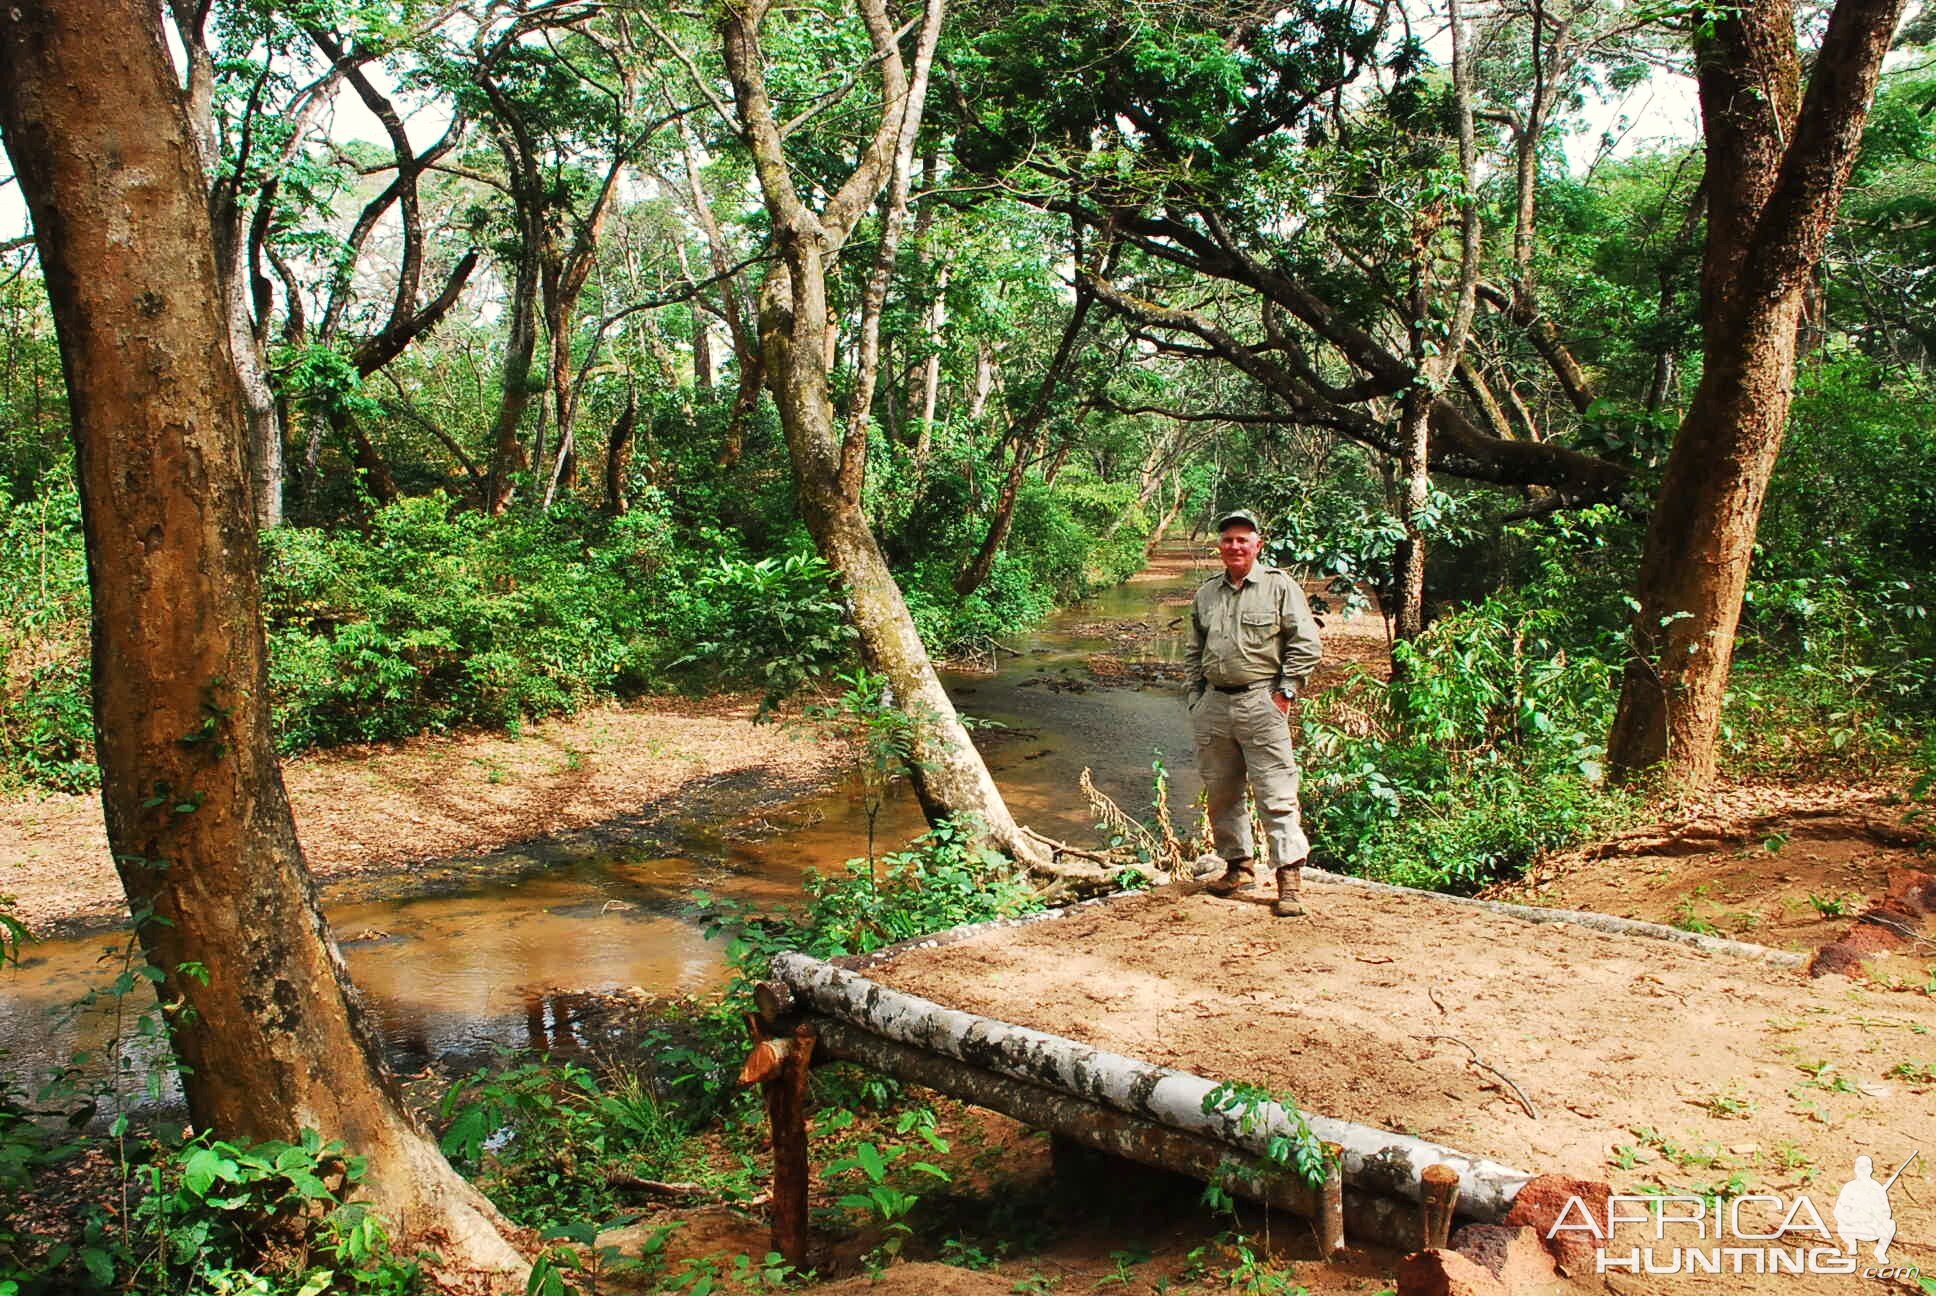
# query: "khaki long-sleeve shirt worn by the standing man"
1259,631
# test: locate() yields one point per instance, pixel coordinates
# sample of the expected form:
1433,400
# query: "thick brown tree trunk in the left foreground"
268,1026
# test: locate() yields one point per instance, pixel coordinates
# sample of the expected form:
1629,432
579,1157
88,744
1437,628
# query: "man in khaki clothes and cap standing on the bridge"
1254,642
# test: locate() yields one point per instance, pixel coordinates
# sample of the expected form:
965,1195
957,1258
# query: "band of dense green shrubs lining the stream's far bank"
433,617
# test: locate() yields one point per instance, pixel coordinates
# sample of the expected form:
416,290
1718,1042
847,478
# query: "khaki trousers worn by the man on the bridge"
1244,735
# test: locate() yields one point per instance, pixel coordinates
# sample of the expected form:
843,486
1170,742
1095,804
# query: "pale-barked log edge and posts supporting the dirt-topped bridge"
1381,1188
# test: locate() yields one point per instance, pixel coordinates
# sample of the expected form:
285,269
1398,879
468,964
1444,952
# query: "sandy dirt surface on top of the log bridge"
1649,1065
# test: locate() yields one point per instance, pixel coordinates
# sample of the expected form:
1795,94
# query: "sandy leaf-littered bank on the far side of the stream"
375,813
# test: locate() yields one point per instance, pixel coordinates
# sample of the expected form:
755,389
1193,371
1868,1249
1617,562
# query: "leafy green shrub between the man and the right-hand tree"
1488,751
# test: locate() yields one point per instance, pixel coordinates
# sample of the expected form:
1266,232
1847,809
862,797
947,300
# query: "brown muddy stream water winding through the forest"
514,960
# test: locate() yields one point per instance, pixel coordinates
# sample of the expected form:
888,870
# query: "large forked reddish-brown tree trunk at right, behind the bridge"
1778,160
